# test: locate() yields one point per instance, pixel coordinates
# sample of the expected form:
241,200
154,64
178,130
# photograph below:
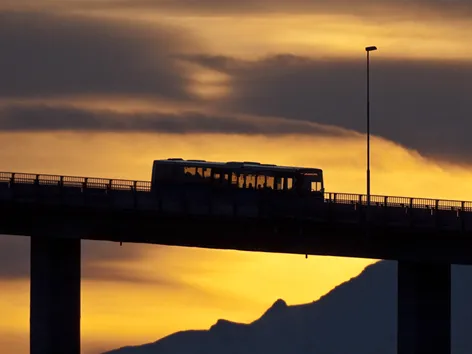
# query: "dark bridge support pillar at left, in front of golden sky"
55,296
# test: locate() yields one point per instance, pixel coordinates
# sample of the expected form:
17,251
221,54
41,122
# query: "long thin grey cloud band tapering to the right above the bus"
49,118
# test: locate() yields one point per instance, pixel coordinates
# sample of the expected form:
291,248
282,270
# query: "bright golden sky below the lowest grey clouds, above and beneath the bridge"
213,284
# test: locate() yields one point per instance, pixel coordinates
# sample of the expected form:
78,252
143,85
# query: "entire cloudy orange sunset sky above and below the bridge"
103,87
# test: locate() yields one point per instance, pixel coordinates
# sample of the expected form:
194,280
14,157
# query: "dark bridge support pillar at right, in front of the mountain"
424,308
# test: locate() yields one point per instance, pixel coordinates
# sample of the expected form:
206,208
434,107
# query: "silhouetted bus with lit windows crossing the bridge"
234,175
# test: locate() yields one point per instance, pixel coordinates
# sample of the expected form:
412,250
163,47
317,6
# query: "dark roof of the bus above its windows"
236,164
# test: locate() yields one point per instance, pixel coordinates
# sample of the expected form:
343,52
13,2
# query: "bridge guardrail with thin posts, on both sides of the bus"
145,186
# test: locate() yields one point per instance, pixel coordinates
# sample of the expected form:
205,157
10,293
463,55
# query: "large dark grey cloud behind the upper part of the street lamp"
425,105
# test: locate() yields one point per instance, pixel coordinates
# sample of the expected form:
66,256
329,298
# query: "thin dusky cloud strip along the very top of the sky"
361,8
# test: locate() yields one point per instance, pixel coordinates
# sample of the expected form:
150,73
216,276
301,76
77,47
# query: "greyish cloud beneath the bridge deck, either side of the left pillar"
99,261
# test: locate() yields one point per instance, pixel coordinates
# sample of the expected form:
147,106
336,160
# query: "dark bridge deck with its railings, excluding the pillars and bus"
121,210
